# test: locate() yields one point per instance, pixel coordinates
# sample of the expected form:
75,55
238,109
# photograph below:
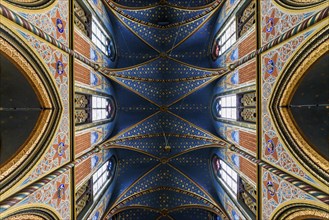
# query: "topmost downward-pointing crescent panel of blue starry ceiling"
162,39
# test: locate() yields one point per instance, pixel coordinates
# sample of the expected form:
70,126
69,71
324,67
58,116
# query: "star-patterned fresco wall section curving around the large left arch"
57,64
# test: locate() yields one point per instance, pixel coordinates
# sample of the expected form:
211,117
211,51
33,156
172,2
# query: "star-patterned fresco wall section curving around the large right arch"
273,63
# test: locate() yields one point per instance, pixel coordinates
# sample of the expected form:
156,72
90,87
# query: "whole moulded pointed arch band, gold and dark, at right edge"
280,106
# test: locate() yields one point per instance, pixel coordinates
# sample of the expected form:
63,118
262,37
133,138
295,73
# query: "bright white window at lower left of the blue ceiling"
100,179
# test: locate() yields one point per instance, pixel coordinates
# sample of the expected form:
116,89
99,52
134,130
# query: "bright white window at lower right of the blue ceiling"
229,178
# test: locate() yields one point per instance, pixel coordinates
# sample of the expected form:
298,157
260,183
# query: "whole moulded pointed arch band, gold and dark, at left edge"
28,153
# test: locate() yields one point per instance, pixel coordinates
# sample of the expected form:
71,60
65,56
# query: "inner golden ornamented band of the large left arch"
20,61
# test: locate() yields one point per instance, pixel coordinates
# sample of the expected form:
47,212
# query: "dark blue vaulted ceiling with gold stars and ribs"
164,83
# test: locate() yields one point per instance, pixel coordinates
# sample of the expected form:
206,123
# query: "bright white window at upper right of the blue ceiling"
227,37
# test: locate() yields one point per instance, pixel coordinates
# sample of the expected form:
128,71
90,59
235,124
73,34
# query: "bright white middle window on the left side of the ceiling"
99,109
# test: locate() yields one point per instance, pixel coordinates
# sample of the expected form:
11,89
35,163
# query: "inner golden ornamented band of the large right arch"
286,98
